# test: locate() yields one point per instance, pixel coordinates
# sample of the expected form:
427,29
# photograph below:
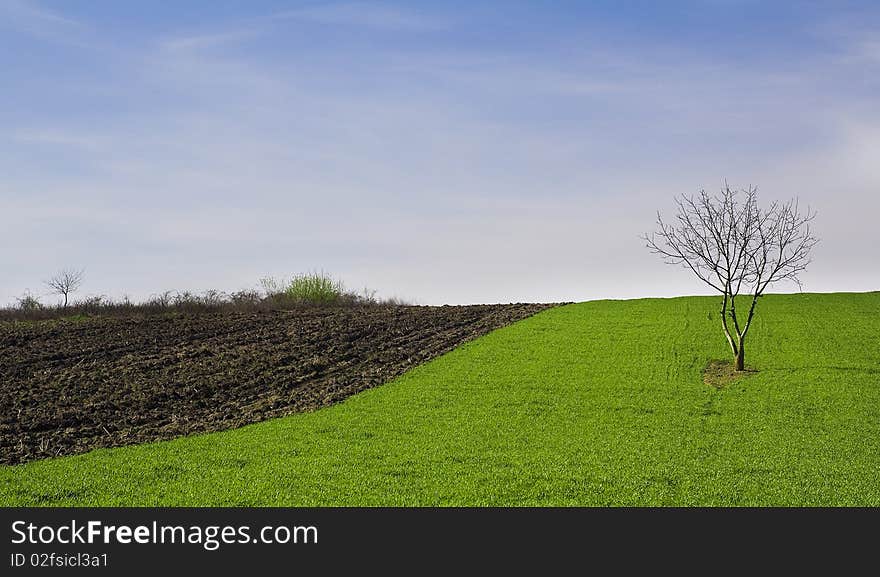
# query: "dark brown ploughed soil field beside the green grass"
68,387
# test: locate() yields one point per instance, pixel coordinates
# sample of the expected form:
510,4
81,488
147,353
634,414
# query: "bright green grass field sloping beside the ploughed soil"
599,403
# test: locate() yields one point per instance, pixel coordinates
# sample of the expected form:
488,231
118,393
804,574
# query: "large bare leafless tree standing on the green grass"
735,247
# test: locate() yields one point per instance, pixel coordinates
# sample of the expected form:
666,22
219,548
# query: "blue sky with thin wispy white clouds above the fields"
440,152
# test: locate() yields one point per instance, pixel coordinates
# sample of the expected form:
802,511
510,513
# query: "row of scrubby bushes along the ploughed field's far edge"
301,290
